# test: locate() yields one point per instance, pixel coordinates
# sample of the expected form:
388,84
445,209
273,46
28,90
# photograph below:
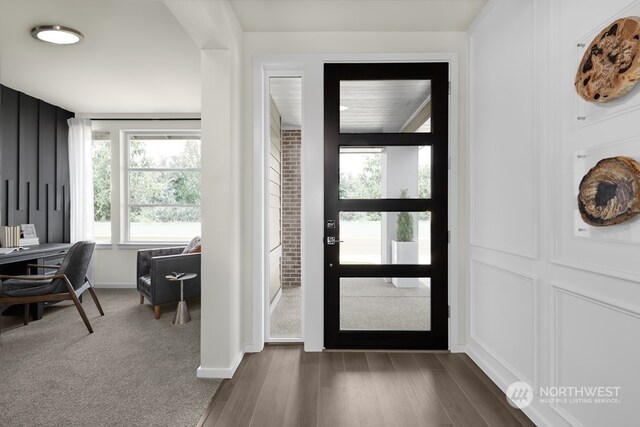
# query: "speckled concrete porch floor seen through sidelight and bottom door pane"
365,304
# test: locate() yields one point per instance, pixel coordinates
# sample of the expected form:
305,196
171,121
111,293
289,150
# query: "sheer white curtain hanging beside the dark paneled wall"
81,179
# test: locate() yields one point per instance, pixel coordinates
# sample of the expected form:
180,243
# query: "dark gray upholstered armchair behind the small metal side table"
153,265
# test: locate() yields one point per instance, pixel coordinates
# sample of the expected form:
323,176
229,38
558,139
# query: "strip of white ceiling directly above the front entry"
356,15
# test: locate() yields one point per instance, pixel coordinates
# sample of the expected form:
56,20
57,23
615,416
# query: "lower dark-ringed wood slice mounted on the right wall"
610,192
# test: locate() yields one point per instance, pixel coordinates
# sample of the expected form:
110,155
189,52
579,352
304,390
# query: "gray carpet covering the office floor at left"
132,371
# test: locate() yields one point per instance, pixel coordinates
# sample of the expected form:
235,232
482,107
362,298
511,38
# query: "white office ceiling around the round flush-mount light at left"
135,57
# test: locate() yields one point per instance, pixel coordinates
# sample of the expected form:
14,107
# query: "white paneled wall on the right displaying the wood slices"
548,307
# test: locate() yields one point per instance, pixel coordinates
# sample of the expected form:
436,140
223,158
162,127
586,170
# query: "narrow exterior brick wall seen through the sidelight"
291,191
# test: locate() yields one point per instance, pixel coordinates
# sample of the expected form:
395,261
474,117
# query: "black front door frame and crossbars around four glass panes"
438,138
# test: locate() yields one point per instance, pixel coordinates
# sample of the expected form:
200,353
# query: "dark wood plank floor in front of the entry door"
284,386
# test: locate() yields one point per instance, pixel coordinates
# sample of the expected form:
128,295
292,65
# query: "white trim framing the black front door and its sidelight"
310,68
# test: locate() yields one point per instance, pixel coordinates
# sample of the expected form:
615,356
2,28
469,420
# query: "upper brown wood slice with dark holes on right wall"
611,64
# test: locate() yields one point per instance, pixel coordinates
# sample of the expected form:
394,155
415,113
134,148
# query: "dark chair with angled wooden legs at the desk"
67,283
